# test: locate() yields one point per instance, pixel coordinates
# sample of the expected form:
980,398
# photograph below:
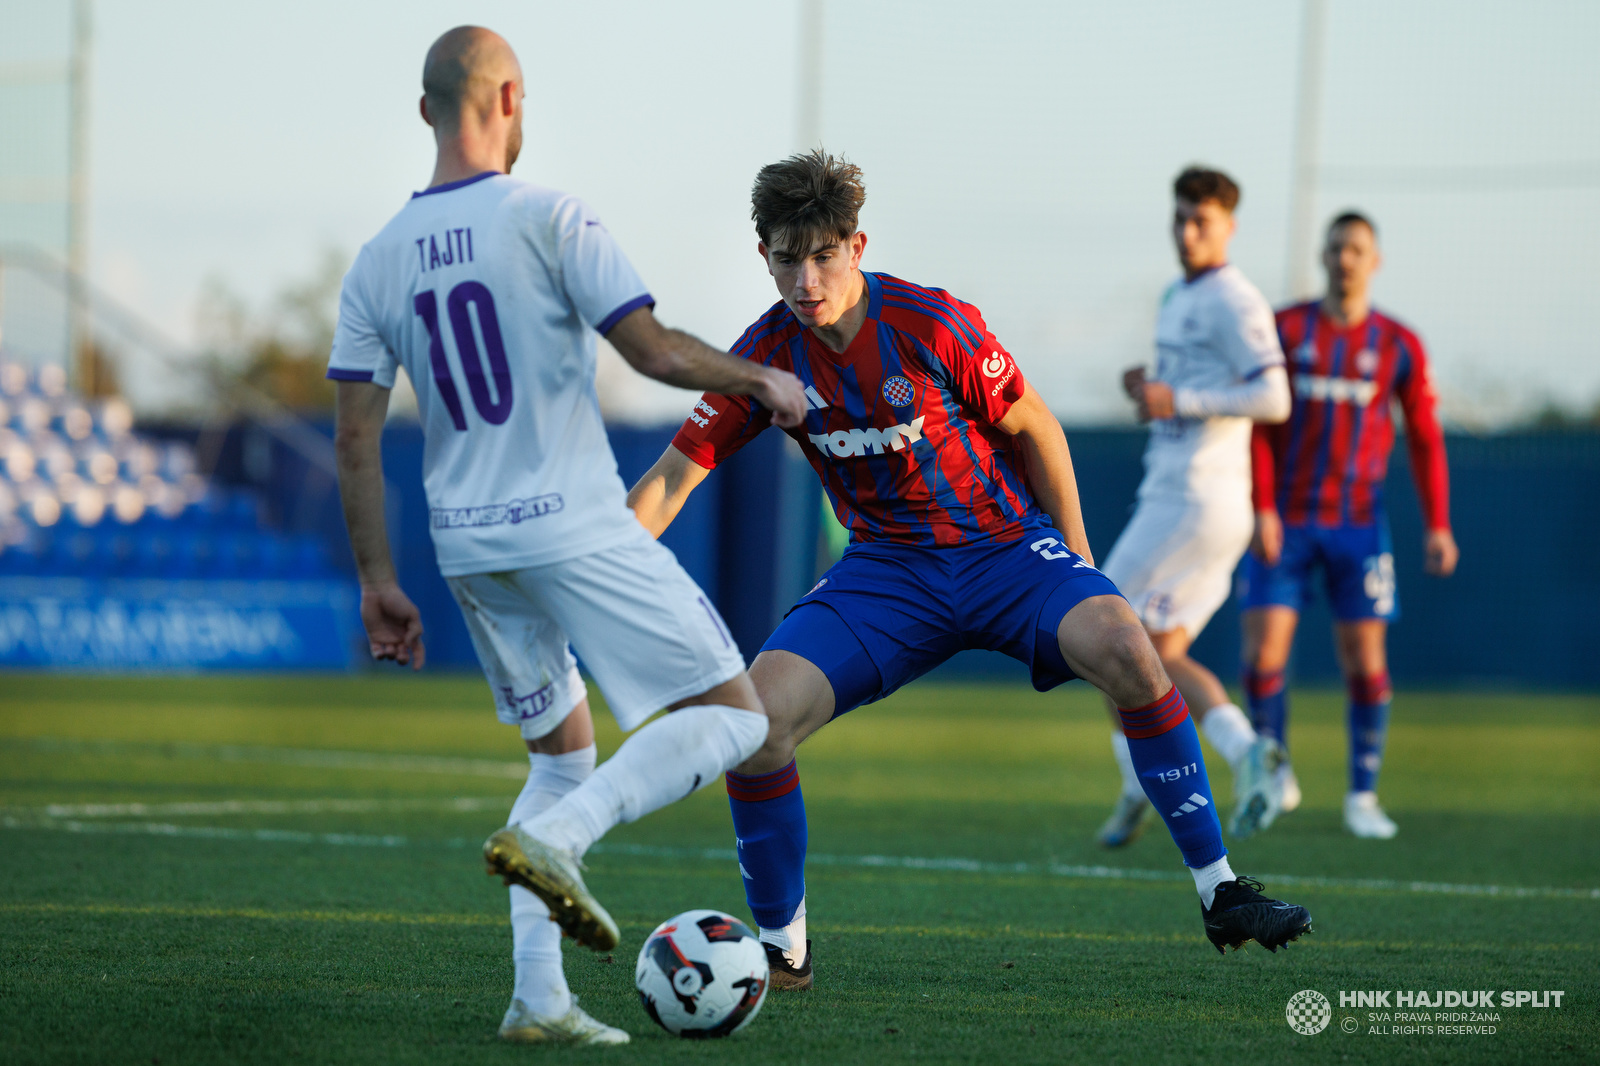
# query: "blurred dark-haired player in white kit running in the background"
1218,371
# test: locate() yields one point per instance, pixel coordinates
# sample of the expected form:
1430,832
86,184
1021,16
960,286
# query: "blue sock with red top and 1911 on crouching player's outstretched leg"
1166,751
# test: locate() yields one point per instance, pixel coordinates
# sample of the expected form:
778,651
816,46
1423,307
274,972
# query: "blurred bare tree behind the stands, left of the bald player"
284,351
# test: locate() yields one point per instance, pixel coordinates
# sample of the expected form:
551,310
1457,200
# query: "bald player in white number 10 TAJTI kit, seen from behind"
489,291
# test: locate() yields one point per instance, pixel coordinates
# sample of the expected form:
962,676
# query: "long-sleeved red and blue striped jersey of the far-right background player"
1327,463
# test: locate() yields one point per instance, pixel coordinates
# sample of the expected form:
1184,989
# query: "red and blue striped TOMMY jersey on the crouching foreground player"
902,425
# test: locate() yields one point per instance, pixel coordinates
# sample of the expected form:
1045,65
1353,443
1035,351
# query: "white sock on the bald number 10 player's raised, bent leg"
660,764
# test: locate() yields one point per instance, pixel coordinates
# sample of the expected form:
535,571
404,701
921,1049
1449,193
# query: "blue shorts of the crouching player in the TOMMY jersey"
887,614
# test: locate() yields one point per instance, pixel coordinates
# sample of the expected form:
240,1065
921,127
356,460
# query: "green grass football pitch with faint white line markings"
257,870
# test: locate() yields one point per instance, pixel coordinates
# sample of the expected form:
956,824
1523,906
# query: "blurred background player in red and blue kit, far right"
1319,483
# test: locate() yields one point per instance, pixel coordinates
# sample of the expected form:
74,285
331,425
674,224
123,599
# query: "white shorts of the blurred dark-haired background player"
1175,561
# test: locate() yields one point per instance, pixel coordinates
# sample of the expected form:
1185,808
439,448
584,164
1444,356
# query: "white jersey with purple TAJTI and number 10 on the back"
490,292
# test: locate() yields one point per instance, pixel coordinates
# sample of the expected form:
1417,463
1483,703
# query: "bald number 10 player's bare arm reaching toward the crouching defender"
681,359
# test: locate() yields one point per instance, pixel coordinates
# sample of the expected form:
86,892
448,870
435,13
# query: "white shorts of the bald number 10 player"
646,631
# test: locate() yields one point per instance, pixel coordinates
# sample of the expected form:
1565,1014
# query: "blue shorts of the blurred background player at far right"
1358,572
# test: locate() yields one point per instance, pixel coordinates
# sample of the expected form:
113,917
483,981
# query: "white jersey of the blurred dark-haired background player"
1214,332
